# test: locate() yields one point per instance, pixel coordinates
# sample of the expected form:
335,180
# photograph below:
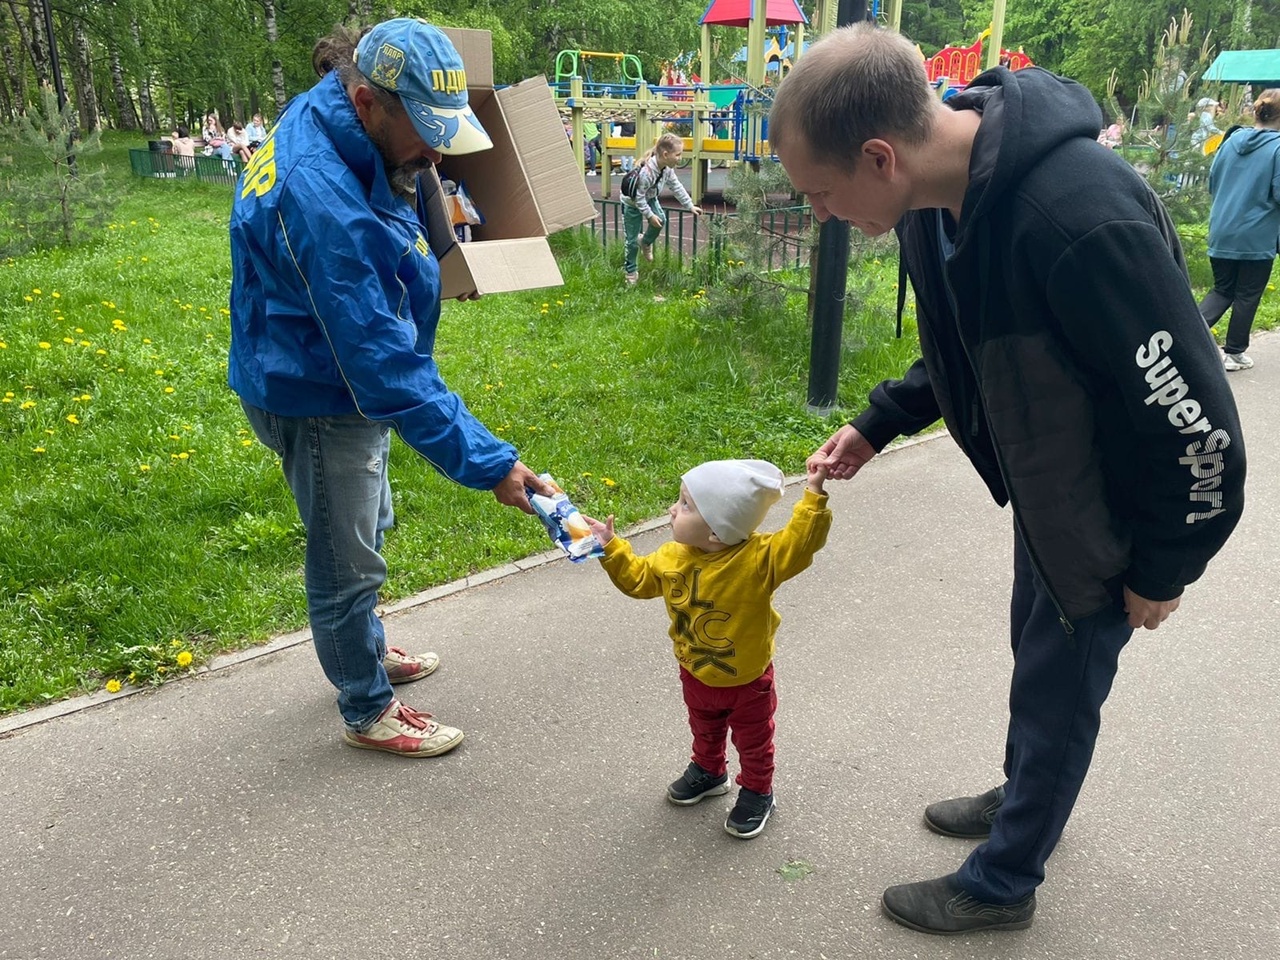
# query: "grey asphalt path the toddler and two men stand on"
222,817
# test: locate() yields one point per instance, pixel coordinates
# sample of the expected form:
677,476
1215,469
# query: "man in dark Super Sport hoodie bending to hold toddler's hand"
1062,346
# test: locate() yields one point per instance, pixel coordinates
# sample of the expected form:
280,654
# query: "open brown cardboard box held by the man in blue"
527,188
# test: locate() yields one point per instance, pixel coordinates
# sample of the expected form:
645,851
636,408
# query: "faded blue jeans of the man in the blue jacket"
337,470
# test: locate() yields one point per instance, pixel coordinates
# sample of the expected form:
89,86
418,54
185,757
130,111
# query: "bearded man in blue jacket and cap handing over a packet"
336,298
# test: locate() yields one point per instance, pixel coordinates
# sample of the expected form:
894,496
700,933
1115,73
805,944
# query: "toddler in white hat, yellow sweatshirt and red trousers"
719,577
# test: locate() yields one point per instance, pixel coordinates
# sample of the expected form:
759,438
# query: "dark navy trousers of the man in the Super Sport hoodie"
1055,705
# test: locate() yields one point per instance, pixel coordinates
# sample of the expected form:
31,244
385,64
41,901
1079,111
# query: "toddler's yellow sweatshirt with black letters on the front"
721,605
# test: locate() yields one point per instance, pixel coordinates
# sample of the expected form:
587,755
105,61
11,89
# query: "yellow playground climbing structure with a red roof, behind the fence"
720,122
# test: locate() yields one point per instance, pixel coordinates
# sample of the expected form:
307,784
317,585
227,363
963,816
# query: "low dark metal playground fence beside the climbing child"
688,236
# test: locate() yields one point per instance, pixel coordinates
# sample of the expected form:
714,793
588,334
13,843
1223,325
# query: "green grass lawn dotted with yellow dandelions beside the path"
140,520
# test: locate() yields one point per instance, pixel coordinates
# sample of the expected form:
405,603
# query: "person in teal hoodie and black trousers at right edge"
1245,226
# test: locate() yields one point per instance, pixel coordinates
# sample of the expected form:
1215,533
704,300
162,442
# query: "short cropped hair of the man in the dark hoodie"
854,85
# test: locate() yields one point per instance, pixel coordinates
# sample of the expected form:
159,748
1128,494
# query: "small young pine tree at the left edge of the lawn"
63,200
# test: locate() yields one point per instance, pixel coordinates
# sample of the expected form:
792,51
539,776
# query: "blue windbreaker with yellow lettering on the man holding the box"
336,295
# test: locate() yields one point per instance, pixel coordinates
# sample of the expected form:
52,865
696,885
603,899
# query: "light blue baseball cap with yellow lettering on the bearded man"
412,58
